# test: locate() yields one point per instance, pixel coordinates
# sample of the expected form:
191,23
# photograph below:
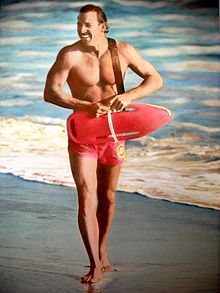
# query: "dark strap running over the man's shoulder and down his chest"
112,46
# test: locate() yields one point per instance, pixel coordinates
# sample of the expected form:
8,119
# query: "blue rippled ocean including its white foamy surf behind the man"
179,162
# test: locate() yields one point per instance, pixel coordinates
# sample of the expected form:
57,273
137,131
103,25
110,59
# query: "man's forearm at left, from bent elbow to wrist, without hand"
59,98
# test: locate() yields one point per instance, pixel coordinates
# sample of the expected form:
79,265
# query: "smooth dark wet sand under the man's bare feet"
158,246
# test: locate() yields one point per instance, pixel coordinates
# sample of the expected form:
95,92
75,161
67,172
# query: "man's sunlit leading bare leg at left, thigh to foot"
84,174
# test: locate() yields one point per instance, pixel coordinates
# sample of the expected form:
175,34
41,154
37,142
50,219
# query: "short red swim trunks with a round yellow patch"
110,153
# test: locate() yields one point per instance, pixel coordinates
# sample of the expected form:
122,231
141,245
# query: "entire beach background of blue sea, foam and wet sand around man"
165,236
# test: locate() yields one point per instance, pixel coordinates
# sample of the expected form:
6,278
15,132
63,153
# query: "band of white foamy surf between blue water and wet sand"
171,168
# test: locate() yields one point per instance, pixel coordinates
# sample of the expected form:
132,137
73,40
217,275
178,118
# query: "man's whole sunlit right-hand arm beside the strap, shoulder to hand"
152,80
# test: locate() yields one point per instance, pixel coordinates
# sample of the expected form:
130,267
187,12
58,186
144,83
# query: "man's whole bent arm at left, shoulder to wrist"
56,78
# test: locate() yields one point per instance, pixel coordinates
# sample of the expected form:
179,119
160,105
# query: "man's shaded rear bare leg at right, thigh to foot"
107,184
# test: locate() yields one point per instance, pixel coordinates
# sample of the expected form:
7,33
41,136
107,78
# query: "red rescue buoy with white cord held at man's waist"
135,121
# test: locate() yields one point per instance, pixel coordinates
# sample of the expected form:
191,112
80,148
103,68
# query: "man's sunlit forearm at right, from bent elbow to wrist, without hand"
149,85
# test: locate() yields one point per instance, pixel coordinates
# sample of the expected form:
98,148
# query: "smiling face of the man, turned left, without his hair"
89,29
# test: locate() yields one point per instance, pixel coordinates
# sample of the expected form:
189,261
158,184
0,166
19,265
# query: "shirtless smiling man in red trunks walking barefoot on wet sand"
86,66
